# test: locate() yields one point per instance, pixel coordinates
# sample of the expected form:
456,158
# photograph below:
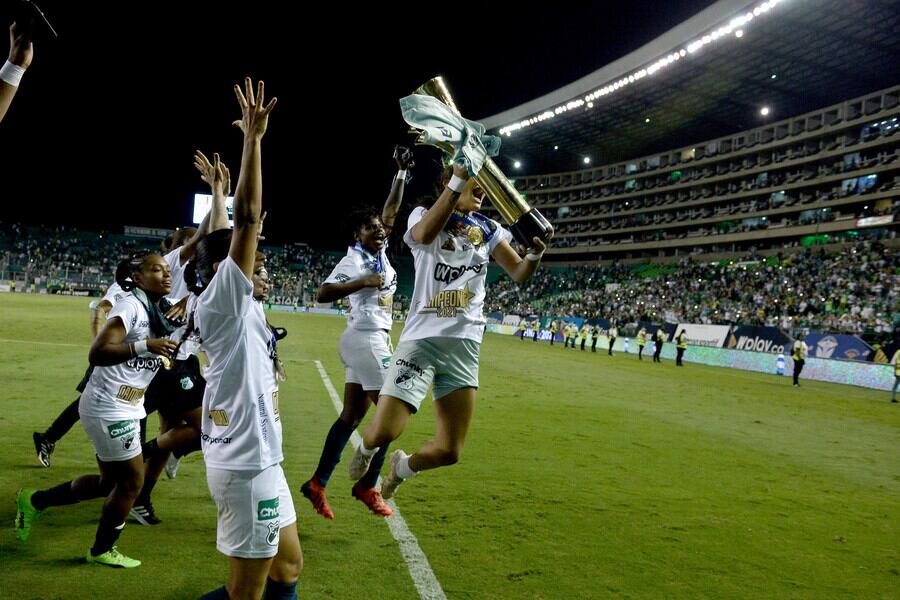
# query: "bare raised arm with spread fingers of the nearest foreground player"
248,193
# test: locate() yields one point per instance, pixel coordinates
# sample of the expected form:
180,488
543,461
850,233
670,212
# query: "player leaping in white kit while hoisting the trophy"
452,245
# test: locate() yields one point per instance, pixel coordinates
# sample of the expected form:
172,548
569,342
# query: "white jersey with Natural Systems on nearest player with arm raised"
241,428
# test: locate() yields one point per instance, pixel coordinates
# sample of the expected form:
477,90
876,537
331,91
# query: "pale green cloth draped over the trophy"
439,124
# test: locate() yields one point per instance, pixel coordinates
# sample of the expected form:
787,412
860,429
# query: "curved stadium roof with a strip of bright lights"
793,56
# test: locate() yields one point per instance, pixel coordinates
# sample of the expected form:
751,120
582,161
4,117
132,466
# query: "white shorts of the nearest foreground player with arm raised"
253,507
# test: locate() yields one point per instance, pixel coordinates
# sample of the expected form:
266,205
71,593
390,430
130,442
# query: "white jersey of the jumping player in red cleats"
370,308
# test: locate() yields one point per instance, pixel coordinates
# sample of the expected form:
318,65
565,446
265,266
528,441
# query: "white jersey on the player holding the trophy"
449,290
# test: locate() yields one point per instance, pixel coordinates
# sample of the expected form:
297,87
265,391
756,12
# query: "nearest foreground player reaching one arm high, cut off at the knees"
241,427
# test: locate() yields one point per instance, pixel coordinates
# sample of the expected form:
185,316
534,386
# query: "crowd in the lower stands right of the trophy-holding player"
855,291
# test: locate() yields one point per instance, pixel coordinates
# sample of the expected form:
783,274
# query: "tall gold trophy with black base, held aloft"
524,221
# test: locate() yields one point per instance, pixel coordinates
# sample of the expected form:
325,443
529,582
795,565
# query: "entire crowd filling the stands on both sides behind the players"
854,291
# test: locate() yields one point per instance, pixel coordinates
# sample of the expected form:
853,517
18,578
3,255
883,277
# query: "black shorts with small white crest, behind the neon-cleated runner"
177,391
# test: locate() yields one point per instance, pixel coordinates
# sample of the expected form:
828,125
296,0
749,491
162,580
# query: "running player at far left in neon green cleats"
111,408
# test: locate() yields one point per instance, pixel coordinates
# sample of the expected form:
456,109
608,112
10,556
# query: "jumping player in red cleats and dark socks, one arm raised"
367,277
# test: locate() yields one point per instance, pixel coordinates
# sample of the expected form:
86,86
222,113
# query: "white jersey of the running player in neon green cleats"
117,391
